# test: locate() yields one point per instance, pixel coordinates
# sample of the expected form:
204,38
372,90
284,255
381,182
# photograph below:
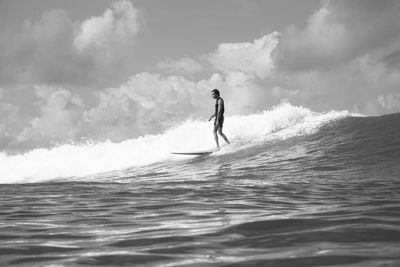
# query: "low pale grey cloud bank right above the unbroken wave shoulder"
354,86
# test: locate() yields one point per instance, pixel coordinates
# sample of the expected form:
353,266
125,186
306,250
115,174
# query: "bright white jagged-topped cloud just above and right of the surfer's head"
250,58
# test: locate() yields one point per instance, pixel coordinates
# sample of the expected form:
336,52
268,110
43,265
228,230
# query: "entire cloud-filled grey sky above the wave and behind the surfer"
93,70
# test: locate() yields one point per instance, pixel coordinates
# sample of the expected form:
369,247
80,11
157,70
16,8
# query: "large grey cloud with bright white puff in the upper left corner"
57,50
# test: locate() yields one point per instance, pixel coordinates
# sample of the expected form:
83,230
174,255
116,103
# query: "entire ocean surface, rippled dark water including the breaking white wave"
295,188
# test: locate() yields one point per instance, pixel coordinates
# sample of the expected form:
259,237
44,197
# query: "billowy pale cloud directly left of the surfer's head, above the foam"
144,103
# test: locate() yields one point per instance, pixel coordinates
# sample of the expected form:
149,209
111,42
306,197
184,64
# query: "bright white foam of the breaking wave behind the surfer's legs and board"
281,122
